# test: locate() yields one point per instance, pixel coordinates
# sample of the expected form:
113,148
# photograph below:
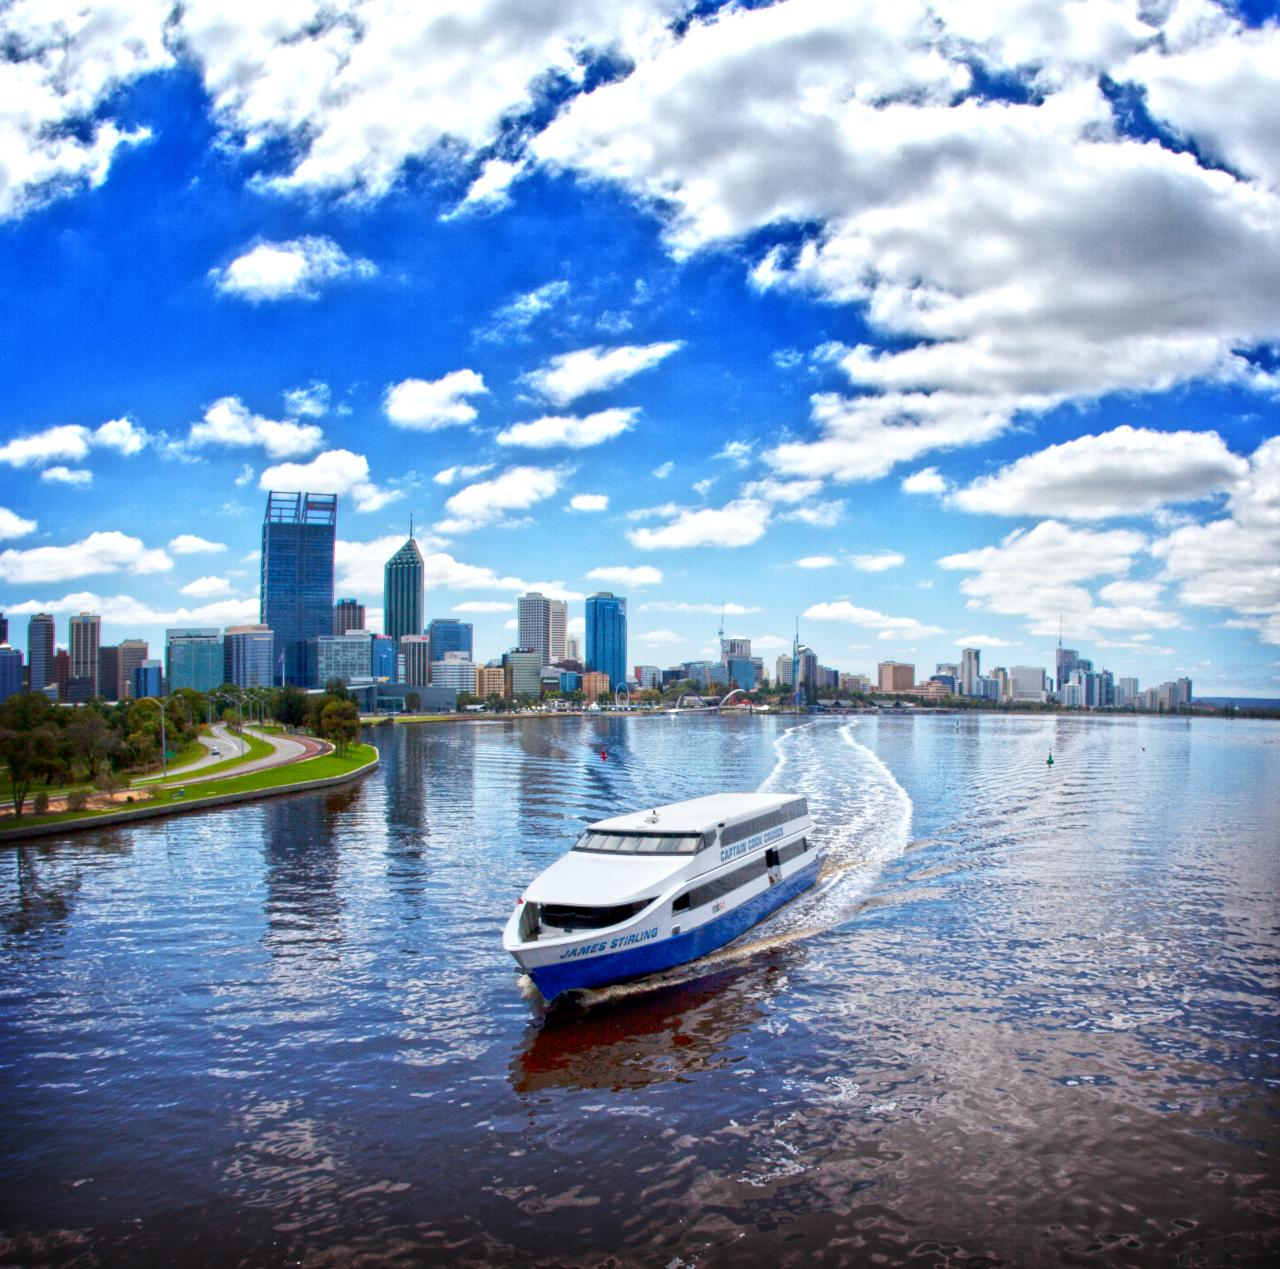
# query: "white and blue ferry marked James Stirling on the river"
655,889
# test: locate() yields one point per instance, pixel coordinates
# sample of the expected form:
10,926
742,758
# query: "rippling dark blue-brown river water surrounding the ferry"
1028,1016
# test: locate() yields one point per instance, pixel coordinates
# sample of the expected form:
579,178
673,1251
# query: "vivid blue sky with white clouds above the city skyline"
926,325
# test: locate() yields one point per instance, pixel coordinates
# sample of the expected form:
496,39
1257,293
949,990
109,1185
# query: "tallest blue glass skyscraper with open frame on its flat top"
298,576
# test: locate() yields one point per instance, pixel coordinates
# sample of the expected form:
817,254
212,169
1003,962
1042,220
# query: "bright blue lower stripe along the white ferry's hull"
651,958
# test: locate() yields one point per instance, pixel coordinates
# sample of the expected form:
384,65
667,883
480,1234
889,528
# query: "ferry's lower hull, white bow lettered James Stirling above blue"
650,946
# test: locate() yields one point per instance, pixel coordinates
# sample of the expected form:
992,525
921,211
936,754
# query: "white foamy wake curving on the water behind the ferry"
862,820
